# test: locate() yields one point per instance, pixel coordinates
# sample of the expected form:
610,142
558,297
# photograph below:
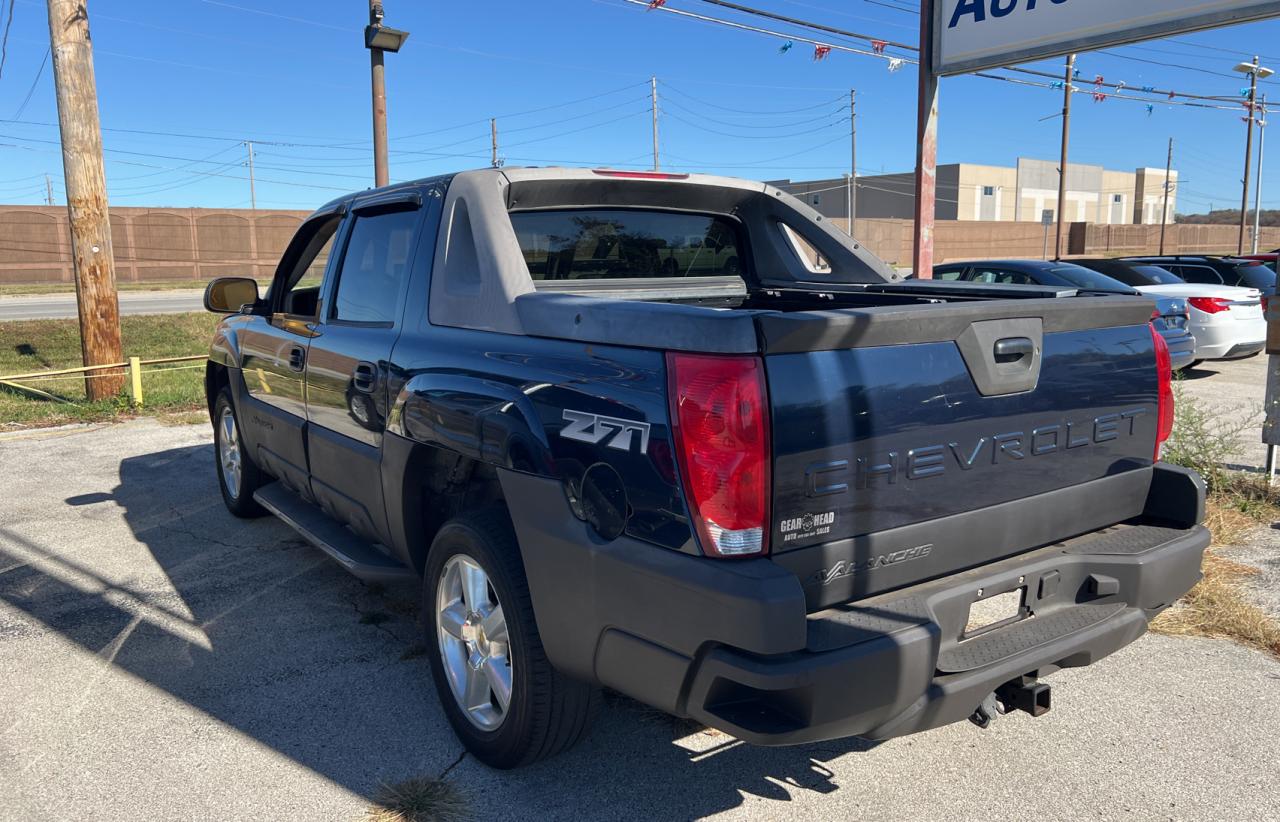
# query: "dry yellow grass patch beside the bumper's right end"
1220,605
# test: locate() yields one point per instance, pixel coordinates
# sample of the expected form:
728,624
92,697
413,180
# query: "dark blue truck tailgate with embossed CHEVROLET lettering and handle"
916,442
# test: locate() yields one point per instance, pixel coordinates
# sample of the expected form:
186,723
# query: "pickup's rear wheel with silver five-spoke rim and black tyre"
479,623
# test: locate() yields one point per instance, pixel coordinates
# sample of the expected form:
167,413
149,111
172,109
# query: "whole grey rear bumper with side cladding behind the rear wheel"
730,643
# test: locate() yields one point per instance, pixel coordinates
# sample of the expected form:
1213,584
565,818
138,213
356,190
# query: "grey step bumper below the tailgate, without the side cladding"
894,666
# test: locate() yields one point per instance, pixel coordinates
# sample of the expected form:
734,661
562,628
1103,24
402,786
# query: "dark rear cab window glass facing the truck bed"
623,244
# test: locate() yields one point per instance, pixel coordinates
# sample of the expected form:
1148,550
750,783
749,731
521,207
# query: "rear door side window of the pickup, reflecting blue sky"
374,267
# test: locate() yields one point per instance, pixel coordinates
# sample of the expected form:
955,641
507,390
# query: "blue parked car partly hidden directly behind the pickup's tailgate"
1171,317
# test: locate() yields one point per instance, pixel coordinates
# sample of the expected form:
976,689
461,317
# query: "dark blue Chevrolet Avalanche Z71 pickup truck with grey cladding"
678,437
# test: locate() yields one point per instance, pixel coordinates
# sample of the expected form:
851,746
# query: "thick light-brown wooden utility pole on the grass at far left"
86,195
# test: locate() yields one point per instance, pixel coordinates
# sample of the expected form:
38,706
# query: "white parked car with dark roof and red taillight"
1227,321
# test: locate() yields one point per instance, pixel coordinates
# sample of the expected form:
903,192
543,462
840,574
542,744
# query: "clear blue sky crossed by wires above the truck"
185,84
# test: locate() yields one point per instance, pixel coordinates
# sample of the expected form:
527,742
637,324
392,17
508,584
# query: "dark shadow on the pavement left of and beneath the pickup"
248,624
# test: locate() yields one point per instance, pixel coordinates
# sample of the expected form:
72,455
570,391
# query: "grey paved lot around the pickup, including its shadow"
162,660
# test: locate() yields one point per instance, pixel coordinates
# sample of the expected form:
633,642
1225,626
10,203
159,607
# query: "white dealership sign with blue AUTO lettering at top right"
973,35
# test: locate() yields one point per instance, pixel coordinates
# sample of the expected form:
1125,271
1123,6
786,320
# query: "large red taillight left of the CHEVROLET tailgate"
721,419
